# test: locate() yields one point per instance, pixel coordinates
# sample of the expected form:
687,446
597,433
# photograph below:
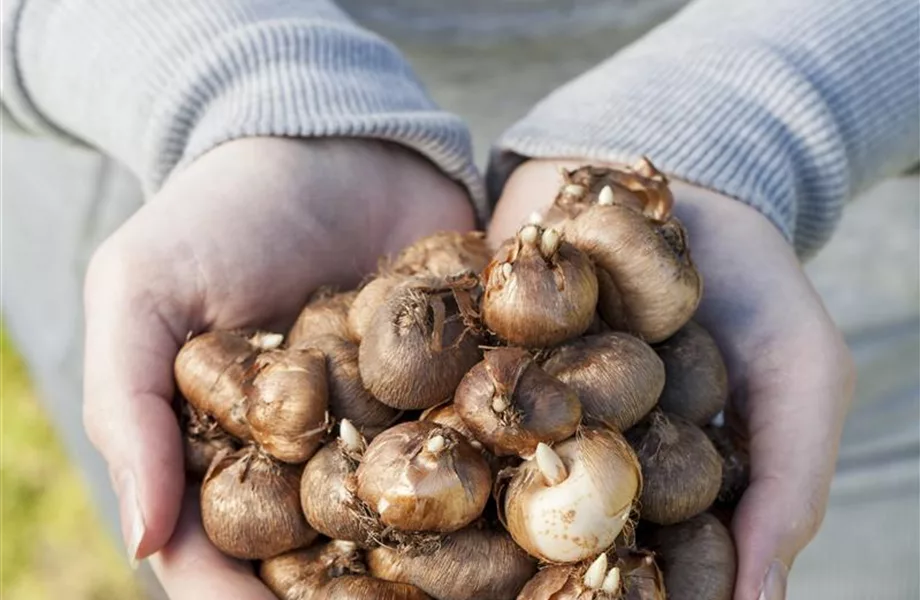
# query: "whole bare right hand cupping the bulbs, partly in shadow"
791,374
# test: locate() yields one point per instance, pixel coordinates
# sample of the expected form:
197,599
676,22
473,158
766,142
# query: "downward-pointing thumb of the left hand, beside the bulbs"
127,412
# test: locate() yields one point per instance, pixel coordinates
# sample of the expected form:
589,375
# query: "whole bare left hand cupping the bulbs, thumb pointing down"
240,238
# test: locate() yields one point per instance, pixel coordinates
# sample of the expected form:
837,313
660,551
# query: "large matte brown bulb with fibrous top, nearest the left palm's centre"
417,347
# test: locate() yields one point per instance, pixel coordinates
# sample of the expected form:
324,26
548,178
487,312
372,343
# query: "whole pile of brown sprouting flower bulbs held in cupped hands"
534,421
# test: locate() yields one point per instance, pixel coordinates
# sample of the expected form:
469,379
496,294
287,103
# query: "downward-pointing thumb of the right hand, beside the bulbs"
795,422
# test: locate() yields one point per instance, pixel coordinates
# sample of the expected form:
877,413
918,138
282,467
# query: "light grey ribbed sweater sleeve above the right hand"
791,107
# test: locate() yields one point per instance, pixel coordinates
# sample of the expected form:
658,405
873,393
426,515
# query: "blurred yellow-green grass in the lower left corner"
52,542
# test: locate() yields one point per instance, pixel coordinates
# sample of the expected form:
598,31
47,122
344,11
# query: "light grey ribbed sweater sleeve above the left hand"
156,83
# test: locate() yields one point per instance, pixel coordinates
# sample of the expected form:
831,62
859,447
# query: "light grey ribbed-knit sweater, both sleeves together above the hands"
791,106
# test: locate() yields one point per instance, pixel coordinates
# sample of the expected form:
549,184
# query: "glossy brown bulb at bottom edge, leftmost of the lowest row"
303,574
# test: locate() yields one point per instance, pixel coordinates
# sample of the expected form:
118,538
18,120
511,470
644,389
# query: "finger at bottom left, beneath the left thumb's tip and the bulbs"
190,567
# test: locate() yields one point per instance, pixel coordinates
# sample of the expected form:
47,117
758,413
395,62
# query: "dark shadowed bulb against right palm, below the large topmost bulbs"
696,385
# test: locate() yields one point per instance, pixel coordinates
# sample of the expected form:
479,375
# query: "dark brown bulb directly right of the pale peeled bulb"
680,466
